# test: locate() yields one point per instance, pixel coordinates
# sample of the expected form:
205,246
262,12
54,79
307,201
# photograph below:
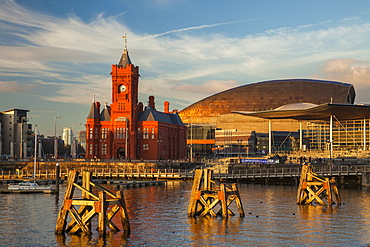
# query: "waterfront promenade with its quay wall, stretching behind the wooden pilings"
353,173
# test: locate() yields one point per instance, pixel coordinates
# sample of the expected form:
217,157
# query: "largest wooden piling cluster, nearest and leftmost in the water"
82,210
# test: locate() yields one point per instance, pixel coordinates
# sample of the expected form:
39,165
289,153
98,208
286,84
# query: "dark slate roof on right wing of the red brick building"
149,114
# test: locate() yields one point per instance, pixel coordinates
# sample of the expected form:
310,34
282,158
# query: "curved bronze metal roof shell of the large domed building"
269,95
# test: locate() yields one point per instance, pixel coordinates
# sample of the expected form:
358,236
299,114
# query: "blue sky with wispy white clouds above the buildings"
55,55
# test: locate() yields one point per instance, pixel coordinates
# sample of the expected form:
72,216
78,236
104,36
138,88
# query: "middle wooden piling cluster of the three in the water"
207,198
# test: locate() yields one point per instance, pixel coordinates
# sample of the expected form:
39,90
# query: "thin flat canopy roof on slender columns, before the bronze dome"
303,111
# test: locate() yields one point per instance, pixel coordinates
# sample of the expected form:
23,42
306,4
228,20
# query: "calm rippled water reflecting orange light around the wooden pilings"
158,217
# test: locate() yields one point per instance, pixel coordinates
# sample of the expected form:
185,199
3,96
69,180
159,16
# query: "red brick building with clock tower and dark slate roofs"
125,129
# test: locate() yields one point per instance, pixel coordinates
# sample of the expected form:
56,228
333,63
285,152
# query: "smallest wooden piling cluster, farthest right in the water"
313,188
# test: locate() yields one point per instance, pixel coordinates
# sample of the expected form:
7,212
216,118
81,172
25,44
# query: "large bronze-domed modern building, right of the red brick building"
232,133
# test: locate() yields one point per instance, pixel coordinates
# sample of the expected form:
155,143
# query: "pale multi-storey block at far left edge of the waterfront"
16,134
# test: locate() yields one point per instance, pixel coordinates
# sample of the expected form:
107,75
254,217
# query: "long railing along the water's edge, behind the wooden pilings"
155,173
